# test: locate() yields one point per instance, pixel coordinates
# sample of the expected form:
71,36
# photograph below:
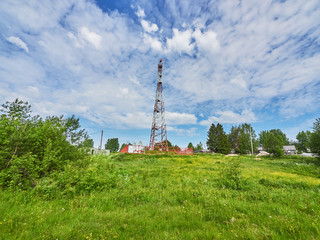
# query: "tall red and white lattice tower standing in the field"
158,137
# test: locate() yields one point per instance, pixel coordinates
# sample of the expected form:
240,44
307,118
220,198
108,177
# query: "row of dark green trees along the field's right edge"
243,140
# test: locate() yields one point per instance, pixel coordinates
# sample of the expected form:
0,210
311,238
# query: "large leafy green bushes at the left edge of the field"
32,147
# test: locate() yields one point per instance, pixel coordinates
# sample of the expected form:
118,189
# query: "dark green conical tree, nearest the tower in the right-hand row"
218,140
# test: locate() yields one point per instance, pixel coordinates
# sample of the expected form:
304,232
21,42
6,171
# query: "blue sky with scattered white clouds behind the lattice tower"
224,61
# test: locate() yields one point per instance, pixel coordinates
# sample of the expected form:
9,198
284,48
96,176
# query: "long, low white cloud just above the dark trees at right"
246,116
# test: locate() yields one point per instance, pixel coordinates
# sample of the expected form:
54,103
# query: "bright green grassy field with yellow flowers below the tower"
169,197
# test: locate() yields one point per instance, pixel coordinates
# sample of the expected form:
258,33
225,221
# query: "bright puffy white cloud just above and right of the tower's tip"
180,41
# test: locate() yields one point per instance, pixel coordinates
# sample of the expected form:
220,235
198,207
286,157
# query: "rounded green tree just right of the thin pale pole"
273,141
